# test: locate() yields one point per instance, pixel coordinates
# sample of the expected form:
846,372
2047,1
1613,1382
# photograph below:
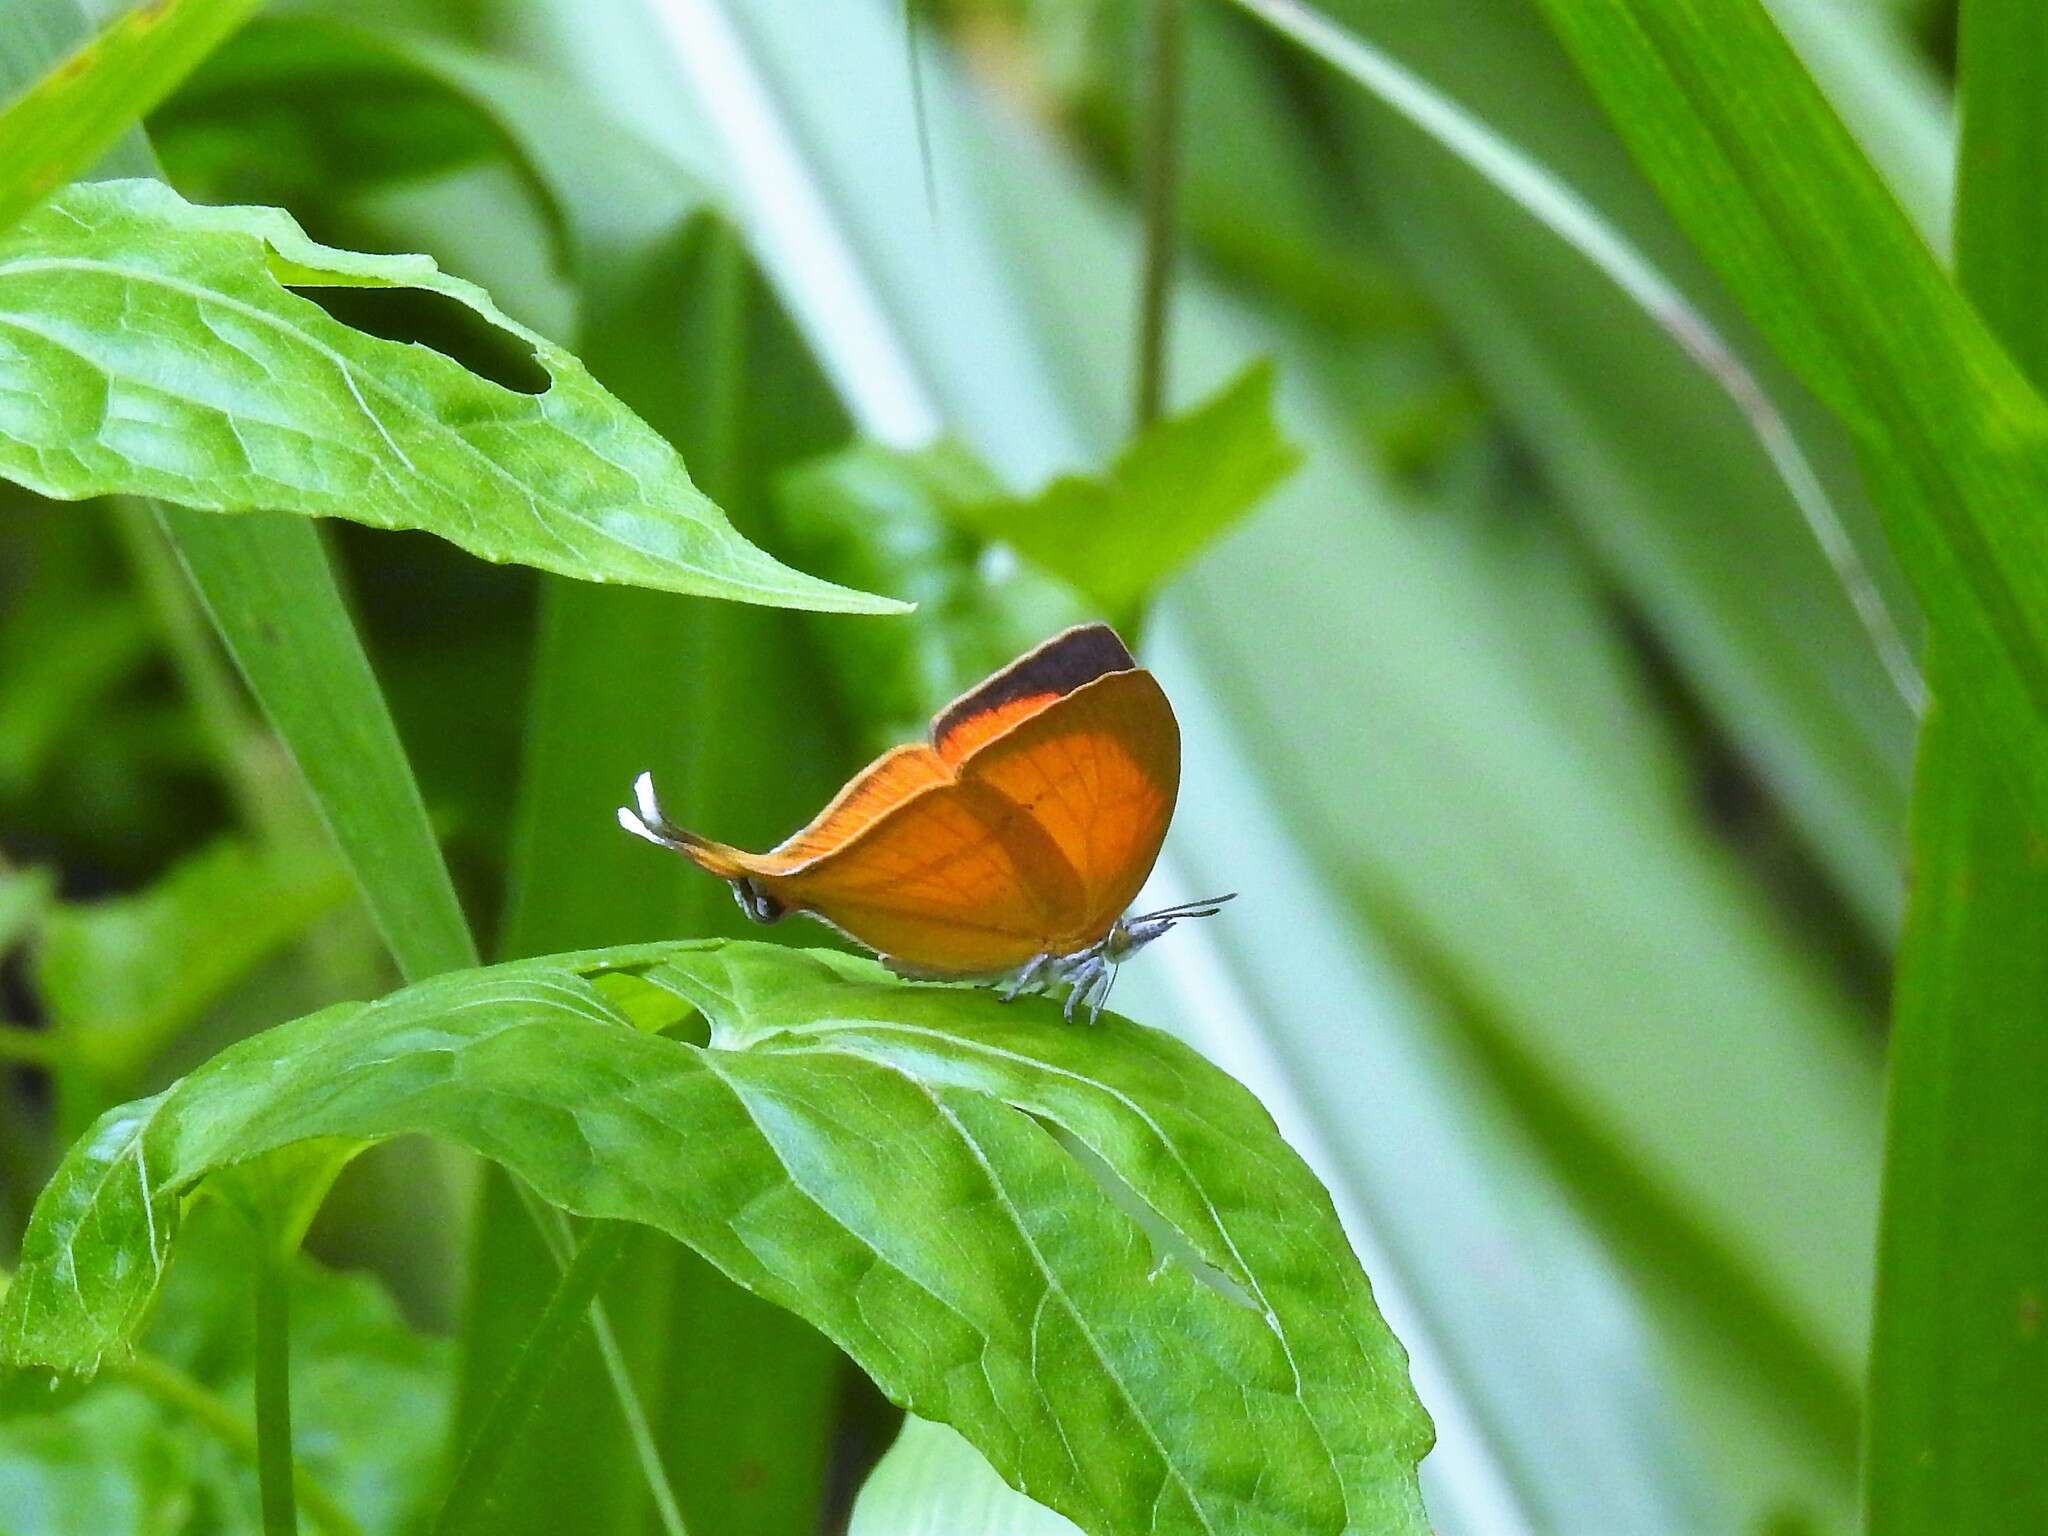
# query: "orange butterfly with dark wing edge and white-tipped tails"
1007,849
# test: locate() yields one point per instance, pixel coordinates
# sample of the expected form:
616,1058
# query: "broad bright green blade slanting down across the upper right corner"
1953,439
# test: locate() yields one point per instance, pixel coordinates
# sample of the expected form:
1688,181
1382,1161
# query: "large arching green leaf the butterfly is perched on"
1230,1375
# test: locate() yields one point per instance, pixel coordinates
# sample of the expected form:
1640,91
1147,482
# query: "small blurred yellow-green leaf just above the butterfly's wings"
1170,495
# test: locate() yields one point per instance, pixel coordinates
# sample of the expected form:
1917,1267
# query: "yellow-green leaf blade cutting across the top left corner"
73,116
